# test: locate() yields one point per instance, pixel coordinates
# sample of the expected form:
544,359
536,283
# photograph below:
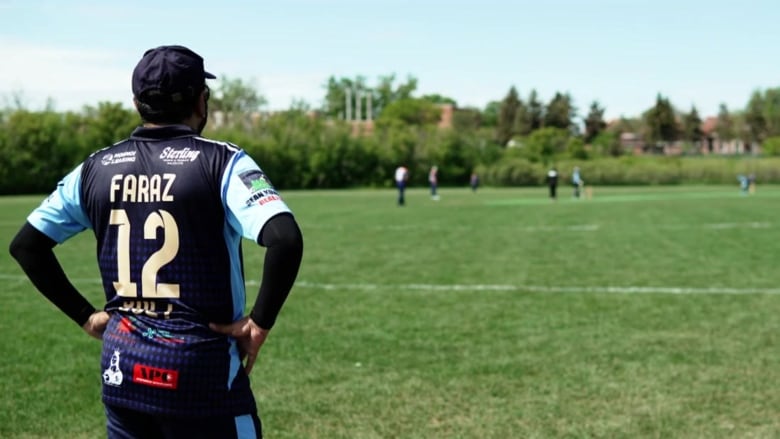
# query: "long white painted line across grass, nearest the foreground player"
551,289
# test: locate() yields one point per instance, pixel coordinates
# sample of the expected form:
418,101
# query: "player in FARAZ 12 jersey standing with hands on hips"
169,209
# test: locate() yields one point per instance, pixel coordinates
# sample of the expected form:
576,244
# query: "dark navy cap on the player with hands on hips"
169,74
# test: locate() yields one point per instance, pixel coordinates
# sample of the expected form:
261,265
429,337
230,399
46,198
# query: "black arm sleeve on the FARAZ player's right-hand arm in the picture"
284,242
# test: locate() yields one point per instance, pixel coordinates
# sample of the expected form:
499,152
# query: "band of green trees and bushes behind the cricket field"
511,141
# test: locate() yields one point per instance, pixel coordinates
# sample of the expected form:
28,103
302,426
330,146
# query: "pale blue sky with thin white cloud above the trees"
619,52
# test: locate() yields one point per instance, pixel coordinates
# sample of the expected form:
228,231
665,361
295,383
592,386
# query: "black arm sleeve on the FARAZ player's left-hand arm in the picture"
33,251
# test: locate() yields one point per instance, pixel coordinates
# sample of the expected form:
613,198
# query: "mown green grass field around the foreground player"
640,313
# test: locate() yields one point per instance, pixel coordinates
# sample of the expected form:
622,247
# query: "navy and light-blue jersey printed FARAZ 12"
168,209
